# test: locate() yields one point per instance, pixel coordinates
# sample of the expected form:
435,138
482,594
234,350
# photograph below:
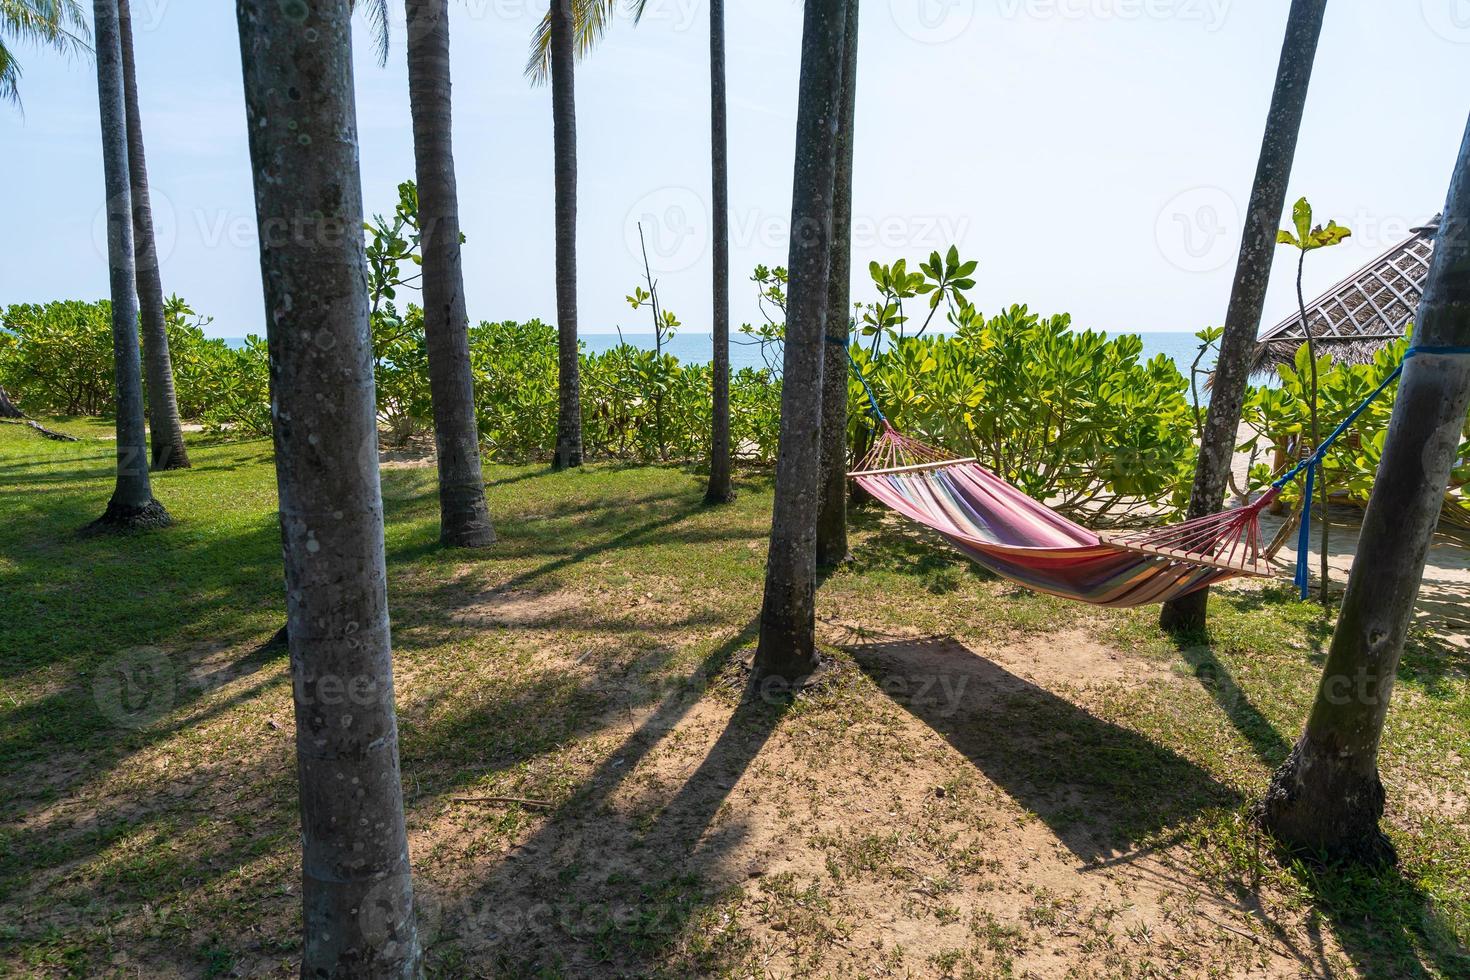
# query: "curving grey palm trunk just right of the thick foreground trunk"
464,515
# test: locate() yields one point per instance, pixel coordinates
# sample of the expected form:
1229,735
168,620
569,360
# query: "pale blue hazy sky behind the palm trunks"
1093,155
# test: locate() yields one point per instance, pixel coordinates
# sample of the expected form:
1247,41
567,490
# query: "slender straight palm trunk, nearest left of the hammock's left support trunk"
720,490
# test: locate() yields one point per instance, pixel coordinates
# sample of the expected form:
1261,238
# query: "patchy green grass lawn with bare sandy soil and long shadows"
987,782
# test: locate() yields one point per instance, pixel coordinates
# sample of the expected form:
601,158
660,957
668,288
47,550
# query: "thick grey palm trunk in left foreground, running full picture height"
358,894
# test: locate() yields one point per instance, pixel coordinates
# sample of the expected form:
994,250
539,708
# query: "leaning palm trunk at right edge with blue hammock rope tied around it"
1327,796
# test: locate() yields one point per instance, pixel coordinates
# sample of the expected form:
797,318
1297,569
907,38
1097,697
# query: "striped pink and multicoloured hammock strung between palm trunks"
1024,541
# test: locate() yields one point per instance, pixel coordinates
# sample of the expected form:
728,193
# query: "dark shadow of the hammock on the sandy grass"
1100,788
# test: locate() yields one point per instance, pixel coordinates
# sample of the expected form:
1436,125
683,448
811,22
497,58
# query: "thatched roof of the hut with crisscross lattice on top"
1356,318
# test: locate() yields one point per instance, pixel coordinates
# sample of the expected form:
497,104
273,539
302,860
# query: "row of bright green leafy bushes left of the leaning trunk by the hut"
1072,418
